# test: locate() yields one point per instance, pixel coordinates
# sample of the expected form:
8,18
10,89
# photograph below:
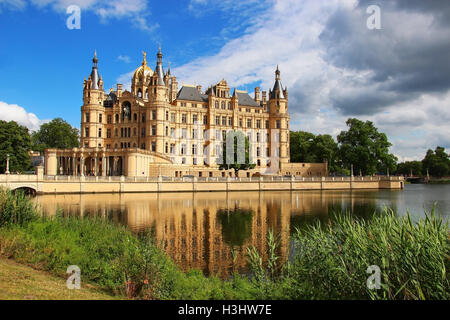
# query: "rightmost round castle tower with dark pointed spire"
279,119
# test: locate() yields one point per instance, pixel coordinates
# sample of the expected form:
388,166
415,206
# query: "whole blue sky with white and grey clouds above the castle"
334,66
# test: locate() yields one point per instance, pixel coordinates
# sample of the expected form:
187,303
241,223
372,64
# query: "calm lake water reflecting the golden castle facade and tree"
204,230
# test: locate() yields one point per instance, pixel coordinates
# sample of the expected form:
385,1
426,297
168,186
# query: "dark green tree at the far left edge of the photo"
15,140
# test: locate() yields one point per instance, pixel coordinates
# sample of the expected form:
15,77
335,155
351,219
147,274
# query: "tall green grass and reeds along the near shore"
330,262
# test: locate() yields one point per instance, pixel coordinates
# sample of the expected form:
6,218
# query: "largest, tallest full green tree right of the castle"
365,148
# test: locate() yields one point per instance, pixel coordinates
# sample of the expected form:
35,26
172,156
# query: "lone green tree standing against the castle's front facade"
240,150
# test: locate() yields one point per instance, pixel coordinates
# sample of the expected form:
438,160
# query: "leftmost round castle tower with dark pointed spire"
92,111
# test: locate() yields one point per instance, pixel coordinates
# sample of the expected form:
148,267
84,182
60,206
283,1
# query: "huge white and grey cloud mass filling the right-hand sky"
336,68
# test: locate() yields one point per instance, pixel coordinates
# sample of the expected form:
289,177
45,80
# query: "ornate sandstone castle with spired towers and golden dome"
157,129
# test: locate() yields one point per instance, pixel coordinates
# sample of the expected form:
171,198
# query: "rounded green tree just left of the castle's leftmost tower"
55,134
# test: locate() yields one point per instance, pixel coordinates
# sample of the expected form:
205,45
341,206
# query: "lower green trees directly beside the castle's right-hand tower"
307,147
